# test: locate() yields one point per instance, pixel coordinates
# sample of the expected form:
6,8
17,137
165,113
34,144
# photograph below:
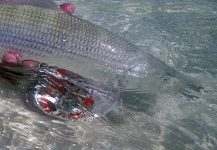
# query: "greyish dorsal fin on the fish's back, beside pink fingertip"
49,4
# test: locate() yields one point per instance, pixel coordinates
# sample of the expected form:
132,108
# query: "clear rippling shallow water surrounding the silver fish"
180,33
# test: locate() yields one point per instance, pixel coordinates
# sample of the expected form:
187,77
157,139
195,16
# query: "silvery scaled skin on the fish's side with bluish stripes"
51,34
